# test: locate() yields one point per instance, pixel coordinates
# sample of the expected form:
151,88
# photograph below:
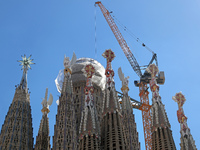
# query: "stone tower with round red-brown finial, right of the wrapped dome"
112,132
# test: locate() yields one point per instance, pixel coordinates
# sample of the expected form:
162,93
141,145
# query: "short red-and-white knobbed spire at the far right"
187,142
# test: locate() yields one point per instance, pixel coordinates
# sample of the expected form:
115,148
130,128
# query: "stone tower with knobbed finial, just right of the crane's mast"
161,132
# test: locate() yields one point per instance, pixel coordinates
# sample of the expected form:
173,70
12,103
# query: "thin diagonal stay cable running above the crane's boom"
131,34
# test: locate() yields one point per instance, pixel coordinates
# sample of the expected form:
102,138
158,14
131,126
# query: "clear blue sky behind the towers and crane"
50,29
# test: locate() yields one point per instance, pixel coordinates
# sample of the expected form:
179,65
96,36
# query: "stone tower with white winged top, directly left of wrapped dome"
65,135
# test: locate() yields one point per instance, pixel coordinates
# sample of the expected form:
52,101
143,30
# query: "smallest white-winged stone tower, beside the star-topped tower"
43,139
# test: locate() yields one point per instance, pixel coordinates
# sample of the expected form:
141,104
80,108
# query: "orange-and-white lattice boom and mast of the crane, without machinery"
132,60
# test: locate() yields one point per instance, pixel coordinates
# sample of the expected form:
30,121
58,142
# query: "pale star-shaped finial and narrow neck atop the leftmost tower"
25,63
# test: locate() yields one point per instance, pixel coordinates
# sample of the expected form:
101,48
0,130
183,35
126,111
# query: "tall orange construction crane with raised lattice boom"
144,78
